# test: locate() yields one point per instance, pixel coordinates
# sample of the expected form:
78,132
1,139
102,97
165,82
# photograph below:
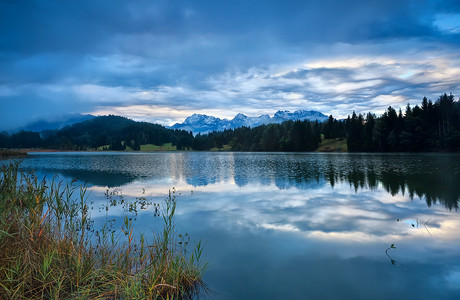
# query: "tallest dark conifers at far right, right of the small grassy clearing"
429,127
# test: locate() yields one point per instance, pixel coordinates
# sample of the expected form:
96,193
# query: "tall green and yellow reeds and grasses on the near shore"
48,248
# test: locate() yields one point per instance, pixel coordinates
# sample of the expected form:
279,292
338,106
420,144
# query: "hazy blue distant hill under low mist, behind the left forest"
55,123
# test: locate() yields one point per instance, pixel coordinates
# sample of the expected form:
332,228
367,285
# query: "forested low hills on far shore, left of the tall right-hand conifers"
118,133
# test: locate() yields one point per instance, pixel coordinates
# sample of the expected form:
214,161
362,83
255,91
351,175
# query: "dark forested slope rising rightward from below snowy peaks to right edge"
428,127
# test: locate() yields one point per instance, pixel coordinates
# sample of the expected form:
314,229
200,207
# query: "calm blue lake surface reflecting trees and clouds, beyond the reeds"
295,226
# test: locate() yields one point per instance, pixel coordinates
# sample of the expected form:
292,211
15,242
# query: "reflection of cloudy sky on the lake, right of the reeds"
269,243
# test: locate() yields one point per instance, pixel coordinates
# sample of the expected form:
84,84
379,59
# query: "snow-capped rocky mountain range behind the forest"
198,123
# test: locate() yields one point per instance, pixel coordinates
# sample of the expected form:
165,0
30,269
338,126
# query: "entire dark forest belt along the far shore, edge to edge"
428,127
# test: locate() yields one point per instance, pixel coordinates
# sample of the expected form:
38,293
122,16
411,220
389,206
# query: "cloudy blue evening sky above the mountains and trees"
161,61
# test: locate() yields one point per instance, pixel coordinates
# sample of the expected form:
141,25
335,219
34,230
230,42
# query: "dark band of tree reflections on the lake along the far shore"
431,177
